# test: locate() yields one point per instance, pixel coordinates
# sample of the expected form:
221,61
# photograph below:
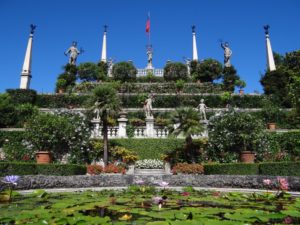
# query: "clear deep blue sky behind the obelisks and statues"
59,22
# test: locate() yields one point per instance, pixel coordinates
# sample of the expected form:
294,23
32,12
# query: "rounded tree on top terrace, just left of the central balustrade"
124,71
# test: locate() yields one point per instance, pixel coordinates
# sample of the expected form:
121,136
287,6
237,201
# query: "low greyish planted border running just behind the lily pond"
118,180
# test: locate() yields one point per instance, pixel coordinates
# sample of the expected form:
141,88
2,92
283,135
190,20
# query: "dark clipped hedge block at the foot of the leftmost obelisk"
22,96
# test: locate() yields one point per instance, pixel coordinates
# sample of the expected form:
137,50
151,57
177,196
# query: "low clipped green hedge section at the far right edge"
280,169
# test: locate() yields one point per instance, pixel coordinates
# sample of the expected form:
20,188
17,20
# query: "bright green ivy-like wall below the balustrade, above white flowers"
148,148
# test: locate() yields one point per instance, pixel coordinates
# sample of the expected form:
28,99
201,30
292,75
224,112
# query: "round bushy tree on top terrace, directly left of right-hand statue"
206,71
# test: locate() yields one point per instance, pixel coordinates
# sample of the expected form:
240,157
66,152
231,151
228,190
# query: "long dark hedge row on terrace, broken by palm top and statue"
161,101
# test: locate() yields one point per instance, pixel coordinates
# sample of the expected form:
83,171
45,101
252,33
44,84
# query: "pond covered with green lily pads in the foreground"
147,205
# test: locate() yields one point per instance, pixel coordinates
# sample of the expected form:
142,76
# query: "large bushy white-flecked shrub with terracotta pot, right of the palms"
235,132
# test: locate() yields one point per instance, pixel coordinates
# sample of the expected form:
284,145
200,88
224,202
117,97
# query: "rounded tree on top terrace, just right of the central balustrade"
175,71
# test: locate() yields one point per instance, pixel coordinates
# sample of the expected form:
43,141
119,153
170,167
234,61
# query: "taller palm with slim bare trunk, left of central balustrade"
106,100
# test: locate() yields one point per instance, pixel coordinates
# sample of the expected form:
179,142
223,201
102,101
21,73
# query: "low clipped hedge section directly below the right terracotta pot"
232,169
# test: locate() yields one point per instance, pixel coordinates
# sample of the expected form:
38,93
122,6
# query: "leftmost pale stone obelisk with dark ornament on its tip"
26,71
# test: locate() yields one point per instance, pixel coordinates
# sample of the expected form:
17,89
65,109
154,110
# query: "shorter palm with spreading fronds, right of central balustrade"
186,122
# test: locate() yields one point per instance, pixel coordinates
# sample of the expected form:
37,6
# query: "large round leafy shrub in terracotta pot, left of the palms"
46,133
